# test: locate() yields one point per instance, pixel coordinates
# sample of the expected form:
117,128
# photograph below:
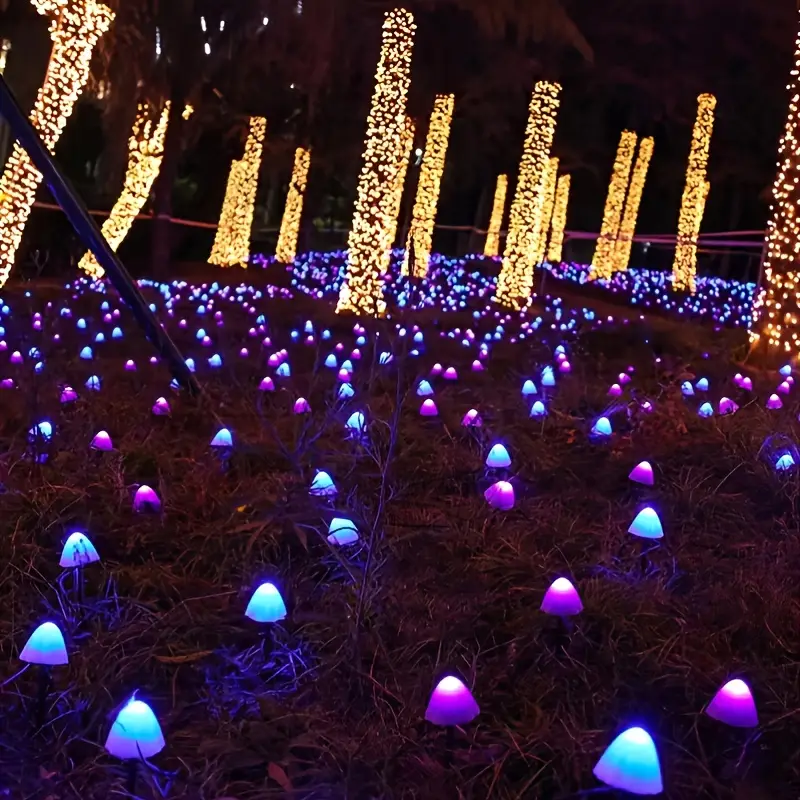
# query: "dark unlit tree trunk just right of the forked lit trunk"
162,195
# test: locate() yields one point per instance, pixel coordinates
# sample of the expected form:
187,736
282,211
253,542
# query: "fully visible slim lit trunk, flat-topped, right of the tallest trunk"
420,235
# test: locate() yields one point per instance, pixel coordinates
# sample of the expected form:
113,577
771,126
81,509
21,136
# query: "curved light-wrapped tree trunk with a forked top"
145,151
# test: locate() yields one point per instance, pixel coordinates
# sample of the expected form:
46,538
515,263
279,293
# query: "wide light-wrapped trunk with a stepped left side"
232,242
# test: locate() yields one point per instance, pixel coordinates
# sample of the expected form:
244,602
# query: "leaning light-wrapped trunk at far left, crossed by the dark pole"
76,27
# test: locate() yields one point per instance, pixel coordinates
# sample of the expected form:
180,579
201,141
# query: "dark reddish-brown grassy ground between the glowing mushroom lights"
332,706
